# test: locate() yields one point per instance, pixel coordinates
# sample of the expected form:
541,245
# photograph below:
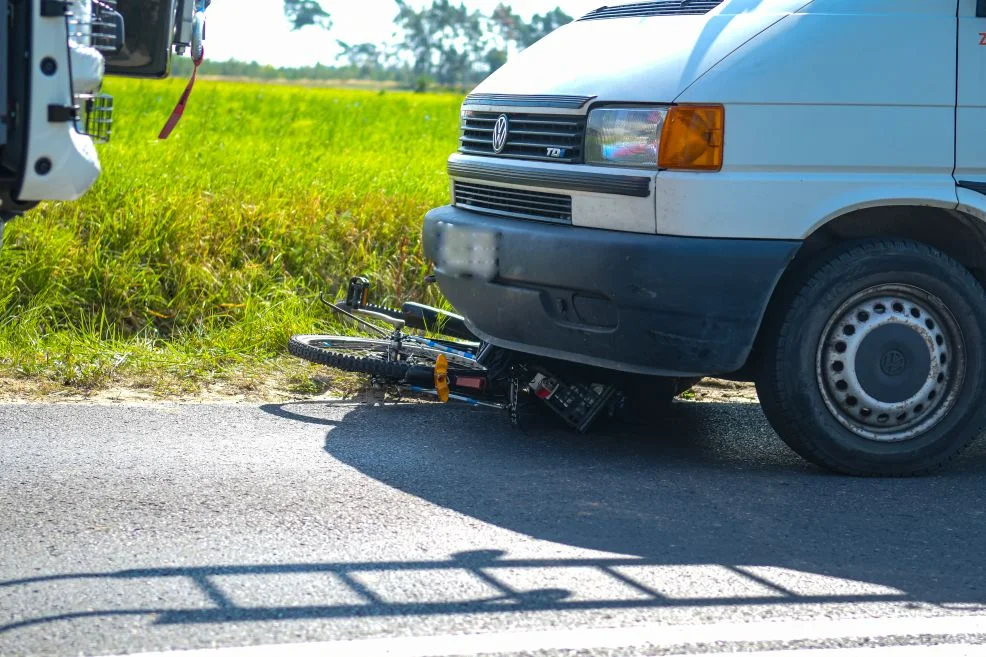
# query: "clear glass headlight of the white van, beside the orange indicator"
625,136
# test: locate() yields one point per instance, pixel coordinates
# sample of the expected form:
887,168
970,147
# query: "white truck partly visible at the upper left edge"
53,57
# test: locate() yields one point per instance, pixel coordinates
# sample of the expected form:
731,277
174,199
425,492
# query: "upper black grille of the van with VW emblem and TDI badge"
529,136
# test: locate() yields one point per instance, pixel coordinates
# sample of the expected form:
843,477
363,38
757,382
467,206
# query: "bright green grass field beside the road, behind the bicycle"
193,260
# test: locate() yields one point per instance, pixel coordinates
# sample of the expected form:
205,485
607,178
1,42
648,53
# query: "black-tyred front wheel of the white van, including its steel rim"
877,365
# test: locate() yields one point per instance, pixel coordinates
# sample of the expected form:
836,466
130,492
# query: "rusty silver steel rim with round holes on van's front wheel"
871,362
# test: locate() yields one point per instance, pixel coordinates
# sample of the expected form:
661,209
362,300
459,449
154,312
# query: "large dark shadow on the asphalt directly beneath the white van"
712,485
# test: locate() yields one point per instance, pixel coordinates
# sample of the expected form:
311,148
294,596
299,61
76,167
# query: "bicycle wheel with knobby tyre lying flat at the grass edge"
361,356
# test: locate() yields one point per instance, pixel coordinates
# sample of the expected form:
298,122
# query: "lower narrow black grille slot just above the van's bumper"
516,203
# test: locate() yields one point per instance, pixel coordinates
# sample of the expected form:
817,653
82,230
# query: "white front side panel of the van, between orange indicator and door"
847,104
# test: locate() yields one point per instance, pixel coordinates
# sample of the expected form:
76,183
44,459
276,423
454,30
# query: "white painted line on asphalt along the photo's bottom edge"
666,636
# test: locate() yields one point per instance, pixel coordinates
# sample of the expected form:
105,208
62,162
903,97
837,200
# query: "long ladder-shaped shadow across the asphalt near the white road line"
488,568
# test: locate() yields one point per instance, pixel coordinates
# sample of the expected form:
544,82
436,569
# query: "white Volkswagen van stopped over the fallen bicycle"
786,191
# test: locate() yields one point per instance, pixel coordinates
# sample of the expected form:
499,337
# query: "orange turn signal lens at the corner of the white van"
693,138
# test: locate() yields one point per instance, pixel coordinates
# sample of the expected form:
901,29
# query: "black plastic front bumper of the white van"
649,304
